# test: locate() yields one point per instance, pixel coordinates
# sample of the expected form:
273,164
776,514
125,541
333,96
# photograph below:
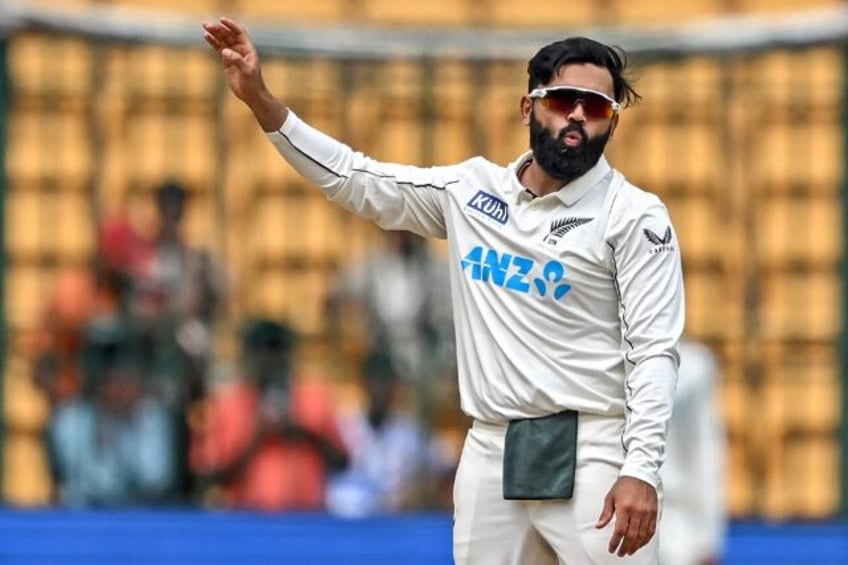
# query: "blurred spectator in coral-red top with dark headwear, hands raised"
269,439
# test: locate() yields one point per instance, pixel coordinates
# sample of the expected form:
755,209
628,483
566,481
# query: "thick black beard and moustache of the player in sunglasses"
558,159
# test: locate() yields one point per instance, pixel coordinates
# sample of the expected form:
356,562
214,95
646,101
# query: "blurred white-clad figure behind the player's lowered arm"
693,509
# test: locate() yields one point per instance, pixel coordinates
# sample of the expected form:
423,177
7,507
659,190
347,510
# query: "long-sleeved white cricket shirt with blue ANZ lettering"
573,300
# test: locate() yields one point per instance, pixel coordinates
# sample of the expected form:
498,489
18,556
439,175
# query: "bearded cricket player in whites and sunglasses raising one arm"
567,295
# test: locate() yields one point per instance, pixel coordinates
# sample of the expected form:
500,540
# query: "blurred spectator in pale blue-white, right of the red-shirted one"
388,450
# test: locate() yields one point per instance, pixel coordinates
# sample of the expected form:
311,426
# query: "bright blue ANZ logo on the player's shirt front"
516,273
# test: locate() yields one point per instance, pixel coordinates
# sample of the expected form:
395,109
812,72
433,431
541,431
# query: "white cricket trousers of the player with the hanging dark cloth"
489,530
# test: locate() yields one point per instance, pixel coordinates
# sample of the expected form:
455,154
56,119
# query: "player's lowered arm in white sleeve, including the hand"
646,265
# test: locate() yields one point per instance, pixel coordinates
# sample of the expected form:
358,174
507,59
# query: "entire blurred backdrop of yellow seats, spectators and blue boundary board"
182,317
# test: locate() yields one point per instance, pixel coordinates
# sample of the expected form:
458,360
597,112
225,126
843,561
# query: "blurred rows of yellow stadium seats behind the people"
747,152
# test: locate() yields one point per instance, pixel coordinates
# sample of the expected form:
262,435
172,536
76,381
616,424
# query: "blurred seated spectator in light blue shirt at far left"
114,444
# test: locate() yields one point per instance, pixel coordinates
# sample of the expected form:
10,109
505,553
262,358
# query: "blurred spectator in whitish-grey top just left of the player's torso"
400,294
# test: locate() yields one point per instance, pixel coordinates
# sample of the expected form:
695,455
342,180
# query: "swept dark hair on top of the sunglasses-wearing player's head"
579,50
